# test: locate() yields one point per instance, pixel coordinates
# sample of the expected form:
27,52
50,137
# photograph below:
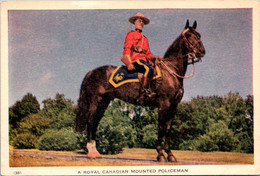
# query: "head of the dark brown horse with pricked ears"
192,40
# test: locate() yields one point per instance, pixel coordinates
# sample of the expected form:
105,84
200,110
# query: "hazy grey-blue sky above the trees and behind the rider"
50,51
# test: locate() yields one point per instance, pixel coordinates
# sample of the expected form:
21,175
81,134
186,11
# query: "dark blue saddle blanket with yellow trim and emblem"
122,76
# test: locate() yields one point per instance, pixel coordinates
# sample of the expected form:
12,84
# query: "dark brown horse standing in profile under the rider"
96,91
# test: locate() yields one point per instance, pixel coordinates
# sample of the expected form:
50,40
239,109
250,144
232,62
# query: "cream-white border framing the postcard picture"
41,5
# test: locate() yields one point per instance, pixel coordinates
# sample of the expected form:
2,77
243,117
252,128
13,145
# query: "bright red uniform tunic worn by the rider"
136,45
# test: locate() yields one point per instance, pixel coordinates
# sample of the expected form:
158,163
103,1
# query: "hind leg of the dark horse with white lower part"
96,112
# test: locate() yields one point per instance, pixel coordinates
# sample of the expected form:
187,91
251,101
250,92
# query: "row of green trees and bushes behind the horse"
211,123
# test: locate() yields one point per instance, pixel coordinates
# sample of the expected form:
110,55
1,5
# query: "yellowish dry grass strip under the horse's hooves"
135,153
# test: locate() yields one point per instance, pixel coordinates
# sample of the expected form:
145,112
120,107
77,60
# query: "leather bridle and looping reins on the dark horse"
191,56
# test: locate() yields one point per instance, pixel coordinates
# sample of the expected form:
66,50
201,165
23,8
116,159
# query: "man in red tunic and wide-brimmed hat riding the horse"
137,54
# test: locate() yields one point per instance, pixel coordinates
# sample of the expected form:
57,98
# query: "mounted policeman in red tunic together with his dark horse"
105,83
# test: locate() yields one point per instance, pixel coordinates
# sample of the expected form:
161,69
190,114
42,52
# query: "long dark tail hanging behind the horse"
83,106
